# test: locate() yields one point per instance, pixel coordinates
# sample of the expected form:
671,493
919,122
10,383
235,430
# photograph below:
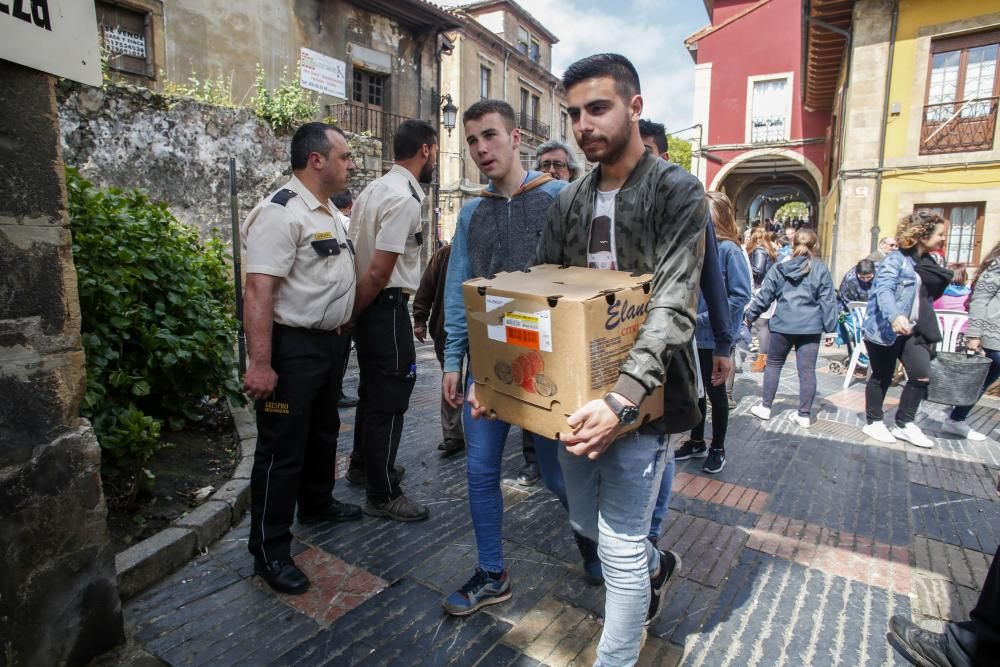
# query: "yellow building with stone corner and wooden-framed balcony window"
932,141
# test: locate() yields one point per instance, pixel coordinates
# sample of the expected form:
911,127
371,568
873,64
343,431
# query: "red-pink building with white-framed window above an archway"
758,144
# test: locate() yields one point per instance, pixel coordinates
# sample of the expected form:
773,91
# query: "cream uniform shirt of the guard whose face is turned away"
386,216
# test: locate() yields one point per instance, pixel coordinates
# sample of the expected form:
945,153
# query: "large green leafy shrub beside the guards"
157,323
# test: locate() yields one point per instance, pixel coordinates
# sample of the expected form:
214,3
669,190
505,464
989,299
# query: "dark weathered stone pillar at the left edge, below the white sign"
58,595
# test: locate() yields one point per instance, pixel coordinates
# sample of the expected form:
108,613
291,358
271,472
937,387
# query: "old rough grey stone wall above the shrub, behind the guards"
179,150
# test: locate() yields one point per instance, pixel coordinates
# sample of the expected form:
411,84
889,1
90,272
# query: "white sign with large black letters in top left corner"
55,36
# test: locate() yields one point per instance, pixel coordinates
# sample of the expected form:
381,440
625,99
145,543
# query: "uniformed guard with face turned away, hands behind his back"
385,227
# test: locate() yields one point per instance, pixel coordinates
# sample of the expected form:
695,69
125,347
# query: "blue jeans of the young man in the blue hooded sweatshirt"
485,439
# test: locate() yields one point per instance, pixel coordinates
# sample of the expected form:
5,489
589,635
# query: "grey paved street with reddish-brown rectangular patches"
796,554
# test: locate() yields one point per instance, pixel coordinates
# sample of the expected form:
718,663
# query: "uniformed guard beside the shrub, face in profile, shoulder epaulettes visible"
300,290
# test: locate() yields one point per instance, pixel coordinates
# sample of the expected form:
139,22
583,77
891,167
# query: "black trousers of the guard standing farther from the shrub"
387,364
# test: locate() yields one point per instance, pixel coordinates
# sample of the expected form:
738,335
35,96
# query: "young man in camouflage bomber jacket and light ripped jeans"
634,212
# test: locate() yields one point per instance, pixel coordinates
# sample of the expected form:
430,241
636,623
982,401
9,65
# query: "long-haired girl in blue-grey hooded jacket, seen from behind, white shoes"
807,307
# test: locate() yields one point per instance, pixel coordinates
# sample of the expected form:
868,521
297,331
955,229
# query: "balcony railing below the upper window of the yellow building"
956,127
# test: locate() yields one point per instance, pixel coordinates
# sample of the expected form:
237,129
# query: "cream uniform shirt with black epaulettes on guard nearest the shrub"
294,242
